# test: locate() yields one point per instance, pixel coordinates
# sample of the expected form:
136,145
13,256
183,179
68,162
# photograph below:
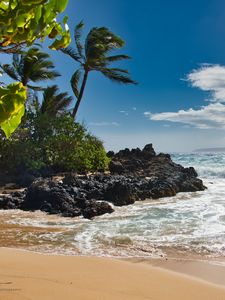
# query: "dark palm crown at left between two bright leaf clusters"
33,65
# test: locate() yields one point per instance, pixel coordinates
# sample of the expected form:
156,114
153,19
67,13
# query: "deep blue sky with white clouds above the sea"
178,59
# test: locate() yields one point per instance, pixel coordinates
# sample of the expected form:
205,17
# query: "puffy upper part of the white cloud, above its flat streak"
210,78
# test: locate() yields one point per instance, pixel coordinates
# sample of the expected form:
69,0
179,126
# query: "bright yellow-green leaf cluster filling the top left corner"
24,21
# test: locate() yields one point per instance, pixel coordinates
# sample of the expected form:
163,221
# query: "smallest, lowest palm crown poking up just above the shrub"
54,102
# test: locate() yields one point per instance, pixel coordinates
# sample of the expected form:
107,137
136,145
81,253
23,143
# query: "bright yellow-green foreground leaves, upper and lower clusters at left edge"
21,23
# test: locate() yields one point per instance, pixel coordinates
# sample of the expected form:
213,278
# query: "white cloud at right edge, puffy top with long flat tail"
209,78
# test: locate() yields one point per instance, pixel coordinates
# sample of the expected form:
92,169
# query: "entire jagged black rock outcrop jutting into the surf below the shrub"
135,175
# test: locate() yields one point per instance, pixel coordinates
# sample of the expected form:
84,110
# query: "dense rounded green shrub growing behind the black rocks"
54,142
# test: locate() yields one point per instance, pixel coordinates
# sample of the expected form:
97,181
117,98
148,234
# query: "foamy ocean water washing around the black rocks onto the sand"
186,225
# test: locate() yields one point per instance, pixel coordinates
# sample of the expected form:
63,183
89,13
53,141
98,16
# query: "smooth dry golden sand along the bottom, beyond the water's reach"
31,276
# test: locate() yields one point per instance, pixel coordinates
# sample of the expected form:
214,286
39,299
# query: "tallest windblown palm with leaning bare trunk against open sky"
94,55
